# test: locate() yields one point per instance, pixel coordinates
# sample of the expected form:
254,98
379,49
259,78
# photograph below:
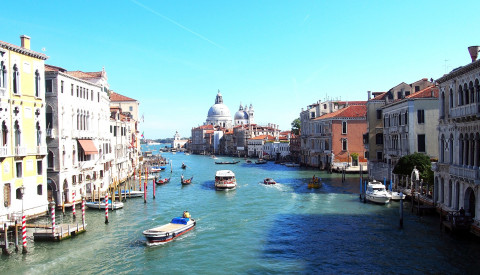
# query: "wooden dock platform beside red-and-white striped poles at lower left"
62,231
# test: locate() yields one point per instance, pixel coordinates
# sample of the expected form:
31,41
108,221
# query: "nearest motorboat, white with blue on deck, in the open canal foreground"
167,232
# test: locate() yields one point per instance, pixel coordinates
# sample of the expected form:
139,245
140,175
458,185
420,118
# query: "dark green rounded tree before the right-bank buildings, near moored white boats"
406,164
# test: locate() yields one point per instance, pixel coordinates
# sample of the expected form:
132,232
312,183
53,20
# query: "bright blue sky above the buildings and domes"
280,56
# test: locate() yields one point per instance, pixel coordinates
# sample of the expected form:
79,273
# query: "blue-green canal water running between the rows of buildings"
255,229
